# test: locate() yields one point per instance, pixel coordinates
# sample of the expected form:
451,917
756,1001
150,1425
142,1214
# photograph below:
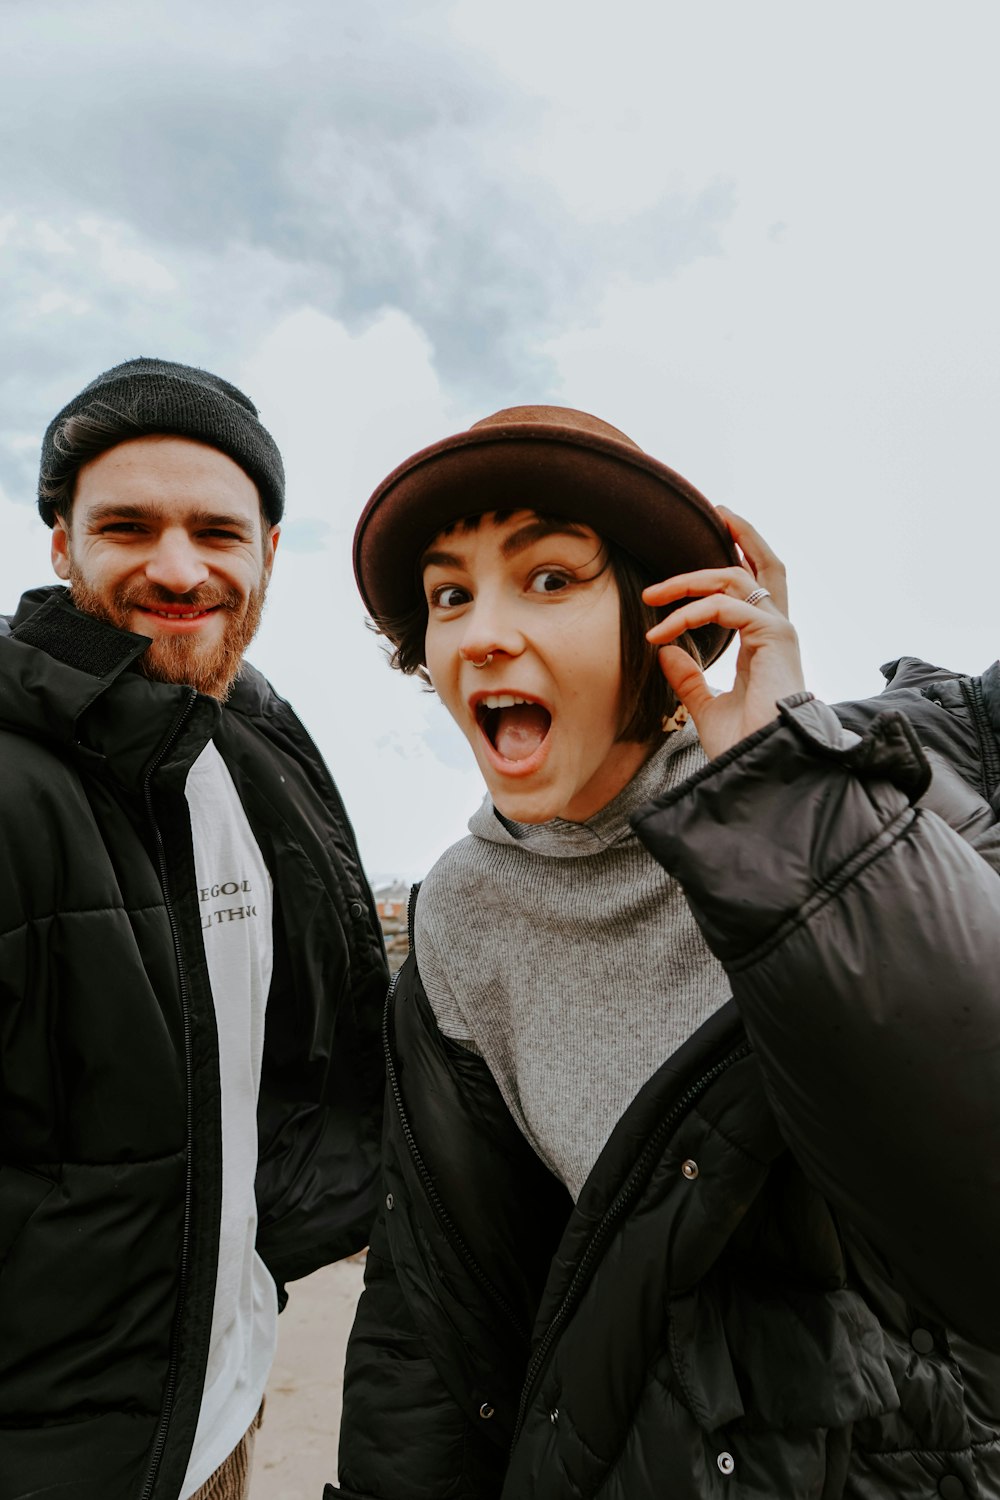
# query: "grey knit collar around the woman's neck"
671,764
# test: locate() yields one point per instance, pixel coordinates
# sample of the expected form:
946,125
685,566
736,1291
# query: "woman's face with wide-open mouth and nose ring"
539,601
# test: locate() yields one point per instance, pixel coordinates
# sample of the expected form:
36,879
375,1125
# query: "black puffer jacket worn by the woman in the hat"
780,1282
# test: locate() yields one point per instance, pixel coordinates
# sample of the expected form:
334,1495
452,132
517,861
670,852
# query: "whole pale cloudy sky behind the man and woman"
762,239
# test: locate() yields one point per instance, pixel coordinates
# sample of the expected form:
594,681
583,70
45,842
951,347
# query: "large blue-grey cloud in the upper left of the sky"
380,164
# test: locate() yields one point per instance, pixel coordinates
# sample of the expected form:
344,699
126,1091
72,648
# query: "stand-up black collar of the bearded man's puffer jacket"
68,679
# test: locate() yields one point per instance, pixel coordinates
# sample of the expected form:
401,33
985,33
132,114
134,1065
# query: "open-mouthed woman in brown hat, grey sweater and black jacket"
695,1069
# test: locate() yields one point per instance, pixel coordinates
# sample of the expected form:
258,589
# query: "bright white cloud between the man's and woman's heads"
346,409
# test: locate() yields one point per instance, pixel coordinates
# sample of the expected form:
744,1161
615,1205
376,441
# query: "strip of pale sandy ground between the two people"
298,1447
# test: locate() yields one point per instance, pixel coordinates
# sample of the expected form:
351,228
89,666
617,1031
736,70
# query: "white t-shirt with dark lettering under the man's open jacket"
235,892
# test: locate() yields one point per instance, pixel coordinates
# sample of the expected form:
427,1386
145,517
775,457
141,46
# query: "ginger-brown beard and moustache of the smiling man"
182,659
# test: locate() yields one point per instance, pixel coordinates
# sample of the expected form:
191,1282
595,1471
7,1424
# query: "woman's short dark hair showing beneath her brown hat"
648,698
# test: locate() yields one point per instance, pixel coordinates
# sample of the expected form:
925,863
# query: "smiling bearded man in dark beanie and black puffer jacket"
191,967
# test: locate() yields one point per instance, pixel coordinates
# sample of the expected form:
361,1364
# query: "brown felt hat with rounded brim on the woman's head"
552,460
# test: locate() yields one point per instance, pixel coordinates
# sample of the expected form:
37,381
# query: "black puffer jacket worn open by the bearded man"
110,1150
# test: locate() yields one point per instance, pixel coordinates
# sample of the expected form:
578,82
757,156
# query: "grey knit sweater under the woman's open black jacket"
569,961
